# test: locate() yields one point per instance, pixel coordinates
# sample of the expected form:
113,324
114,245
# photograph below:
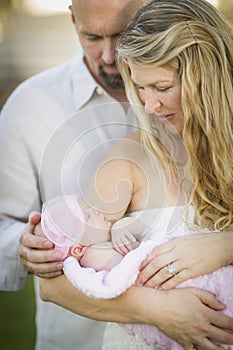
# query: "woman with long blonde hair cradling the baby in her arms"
177,61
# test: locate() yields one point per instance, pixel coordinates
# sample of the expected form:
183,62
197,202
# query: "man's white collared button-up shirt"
54,129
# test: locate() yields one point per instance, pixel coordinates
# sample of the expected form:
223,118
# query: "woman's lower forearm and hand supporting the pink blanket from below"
178,312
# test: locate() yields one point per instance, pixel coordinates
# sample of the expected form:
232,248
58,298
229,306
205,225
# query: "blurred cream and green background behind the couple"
28,45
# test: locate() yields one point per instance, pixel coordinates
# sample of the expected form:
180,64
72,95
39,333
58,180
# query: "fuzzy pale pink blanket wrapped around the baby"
110,284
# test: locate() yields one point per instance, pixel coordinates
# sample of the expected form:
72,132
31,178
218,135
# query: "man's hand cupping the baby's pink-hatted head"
36,252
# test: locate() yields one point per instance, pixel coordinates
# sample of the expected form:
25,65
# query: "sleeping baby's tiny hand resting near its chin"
123,241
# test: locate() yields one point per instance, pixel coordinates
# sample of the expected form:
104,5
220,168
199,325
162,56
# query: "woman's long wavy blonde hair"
197,41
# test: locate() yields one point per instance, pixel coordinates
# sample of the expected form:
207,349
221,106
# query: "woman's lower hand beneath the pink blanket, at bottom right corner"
190,318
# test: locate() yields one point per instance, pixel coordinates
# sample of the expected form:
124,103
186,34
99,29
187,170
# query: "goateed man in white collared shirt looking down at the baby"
29,130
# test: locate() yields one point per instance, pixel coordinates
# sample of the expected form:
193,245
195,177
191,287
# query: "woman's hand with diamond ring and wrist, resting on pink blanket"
191,256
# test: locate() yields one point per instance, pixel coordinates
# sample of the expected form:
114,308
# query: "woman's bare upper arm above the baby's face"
117,178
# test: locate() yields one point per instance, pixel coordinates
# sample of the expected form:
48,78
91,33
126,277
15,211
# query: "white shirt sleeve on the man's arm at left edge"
19,193
